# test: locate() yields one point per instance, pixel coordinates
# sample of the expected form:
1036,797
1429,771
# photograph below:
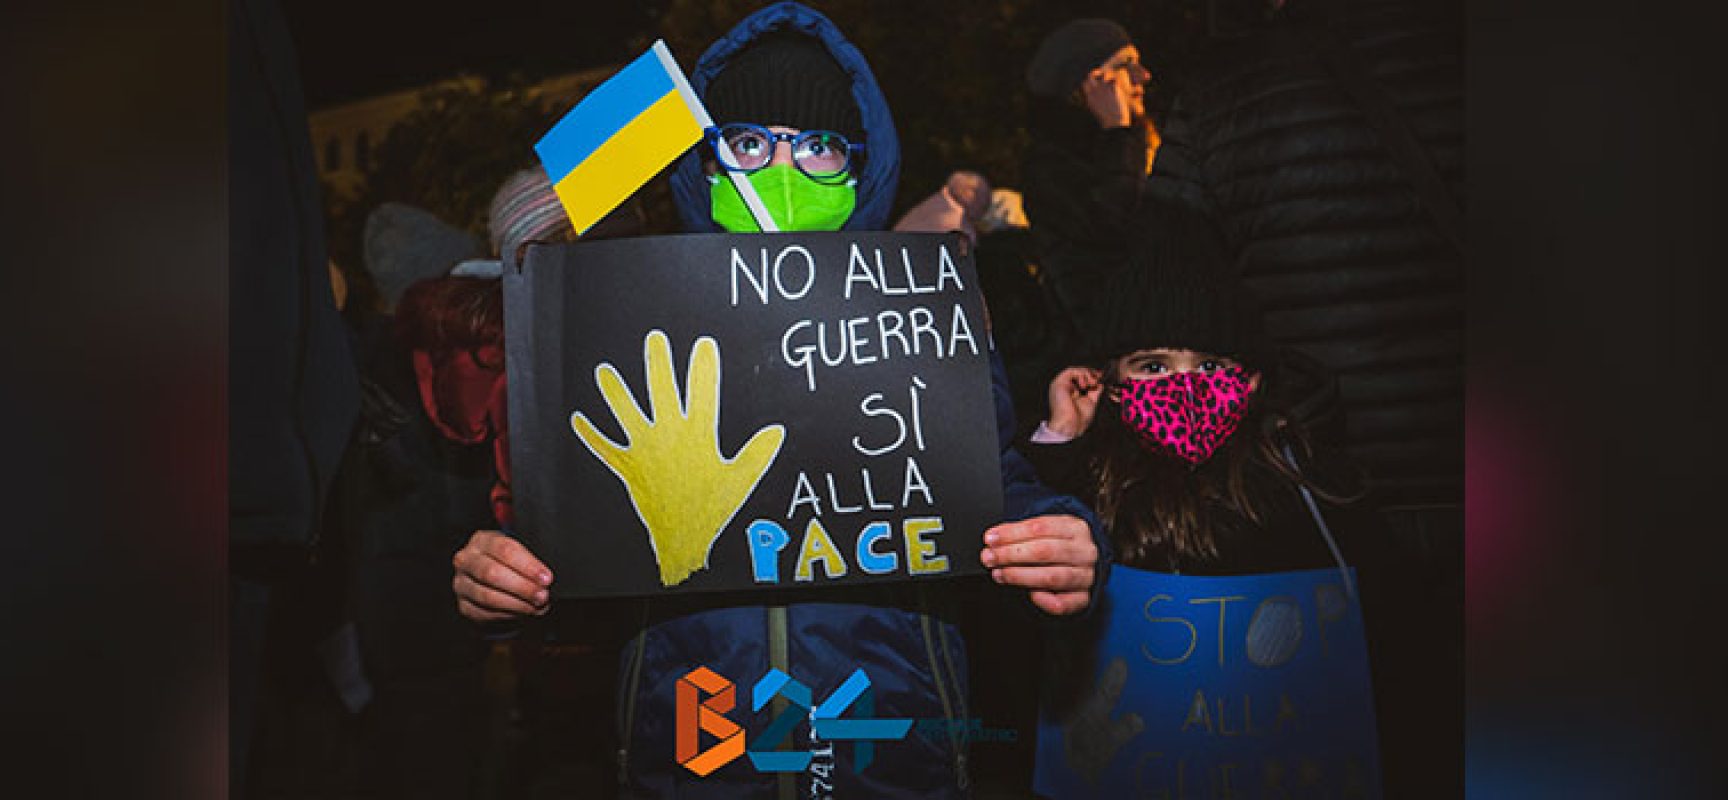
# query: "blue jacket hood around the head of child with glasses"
882,144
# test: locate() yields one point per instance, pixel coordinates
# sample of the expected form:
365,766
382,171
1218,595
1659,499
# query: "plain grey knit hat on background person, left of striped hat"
403,244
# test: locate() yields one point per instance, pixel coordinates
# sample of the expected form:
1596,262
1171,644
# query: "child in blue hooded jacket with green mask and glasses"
799,111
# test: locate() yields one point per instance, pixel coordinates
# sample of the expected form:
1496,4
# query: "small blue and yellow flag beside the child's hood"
623,134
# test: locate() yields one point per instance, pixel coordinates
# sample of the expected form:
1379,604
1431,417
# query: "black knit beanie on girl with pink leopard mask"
1178,291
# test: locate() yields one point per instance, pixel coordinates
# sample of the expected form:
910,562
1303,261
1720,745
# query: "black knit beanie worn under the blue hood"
787,79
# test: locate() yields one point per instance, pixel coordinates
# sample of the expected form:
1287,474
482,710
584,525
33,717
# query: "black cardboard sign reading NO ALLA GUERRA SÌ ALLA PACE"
751,412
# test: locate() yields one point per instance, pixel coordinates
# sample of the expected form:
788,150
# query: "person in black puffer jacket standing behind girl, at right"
1328,143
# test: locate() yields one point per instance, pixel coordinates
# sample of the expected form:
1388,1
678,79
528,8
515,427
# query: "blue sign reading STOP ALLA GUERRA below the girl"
1214,689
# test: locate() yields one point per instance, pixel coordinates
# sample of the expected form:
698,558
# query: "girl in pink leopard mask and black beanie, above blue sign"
1186,435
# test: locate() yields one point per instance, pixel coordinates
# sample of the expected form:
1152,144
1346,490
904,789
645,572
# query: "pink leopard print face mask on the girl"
1186,414
